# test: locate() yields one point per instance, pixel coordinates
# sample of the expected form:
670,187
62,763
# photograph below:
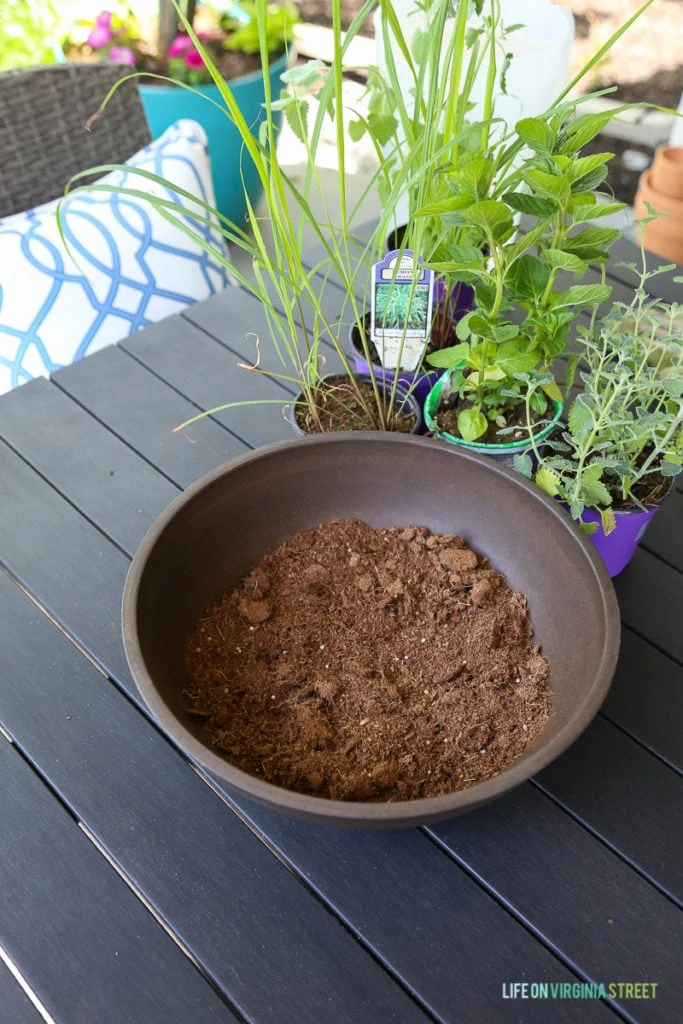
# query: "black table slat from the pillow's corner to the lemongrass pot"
209,375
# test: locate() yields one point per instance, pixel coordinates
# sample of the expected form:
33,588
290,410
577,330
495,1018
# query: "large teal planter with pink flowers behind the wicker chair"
230,164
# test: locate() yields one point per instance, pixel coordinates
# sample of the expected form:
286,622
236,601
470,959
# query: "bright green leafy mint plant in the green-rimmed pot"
523,317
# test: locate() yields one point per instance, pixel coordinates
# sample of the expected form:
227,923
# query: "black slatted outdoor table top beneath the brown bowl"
137,889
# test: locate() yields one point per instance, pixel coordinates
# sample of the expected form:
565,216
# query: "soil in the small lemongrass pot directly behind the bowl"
339,408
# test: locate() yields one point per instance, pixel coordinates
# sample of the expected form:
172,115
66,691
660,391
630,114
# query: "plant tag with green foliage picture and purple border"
402,310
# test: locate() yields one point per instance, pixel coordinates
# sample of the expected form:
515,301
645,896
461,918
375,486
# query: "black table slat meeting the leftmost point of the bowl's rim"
76,572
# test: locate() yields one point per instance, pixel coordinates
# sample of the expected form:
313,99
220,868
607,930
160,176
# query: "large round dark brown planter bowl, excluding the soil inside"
214,534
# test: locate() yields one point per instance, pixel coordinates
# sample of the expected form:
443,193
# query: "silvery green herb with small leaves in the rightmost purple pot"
624,438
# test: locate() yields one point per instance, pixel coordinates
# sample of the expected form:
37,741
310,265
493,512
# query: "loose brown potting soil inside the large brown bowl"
366,664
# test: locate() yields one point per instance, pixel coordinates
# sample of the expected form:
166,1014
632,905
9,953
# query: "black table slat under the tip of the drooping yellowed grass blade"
143,411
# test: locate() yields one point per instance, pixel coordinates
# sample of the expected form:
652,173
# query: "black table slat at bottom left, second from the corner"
83,942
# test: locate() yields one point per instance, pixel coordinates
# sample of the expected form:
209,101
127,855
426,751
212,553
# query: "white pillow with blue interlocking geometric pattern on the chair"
125,266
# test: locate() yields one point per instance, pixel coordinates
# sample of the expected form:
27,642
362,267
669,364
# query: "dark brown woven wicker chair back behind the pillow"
44,139
